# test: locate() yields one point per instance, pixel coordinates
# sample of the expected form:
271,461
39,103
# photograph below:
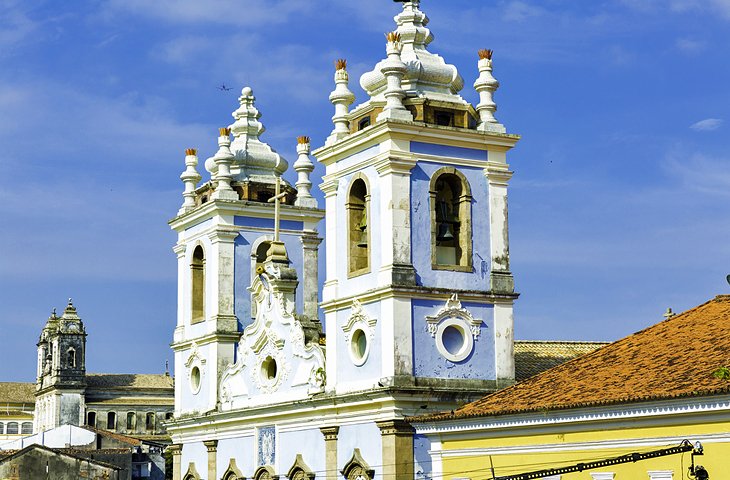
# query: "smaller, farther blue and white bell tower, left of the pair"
226,229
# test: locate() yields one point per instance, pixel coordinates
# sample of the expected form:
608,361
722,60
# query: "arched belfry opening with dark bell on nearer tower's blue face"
451,241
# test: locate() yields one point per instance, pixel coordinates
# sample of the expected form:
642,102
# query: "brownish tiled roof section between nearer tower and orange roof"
536,356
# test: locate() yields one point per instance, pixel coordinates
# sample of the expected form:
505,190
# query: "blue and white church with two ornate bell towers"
417,295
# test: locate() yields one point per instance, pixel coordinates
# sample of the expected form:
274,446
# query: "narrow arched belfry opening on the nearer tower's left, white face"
358,231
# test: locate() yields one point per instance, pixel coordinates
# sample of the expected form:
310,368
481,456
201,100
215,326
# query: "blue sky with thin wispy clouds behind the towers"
619,203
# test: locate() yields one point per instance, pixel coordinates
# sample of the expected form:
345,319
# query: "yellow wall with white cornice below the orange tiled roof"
520,450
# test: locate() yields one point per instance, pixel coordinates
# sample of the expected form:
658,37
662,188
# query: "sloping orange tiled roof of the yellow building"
674,358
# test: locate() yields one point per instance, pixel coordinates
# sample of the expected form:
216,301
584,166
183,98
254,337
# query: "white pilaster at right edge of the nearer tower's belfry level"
498,176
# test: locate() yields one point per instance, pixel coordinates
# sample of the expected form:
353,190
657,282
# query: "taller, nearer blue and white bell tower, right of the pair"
418,287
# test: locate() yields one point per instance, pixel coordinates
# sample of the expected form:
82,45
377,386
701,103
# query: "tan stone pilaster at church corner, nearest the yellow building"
397,439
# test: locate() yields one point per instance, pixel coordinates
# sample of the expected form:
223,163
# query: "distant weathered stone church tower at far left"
61,371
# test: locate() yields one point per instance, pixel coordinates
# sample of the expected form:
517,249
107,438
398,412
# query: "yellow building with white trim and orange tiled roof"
646,392
